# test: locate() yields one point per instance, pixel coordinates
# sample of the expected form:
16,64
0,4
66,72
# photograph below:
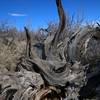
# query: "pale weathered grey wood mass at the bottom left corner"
19,85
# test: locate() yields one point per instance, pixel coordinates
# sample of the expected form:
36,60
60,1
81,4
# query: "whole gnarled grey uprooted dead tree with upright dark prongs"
58,69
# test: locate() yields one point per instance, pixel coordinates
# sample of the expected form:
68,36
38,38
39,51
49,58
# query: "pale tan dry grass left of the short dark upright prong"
9,55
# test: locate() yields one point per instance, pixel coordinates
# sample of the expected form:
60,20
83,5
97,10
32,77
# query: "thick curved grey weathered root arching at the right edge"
81,47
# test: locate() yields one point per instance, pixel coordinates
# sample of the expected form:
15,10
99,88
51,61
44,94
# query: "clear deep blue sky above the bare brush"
39,13
